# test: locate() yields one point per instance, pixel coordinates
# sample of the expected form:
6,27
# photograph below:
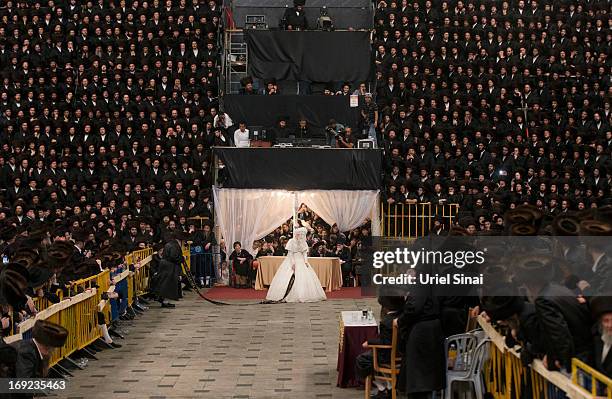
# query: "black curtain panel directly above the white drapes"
300,168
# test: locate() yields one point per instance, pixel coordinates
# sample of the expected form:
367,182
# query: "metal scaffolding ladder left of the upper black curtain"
236,58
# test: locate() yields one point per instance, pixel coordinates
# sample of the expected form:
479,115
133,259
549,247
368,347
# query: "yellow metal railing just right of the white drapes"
414,220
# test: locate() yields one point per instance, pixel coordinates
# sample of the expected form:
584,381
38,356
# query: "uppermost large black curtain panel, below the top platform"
311,56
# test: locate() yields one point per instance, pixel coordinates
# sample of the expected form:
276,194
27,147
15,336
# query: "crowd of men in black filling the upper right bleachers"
490,105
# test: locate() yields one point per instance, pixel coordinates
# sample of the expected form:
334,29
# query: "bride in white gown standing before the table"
306,287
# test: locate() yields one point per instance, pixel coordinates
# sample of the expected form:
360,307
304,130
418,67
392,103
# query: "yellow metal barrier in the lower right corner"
505,377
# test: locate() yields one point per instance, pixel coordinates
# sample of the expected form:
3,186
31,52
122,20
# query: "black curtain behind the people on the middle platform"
265,110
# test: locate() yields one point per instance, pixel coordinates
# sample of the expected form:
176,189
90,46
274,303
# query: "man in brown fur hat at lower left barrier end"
33,355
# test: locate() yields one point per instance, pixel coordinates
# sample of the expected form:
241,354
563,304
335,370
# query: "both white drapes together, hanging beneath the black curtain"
247,215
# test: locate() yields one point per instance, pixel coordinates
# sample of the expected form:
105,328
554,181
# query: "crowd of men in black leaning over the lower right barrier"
547,287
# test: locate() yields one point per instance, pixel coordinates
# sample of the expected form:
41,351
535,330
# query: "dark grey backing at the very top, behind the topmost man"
356,14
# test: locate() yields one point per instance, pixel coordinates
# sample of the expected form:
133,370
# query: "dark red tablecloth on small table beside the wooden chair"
351,339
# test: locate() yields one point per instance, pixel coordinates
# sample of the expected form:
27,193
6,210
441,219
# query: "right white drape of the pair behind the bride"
348,209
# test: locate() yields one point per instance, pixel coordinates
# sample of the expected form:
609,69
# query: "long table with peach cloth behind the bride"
327,269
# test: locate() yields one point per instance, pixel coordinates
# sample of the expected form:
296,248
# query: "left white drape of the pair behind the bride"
248,215
